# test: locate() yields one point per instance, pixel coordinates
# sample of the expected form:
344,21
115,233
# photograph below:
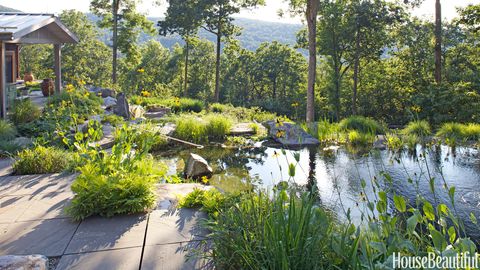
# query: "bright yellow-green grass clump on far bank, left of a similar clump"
191,129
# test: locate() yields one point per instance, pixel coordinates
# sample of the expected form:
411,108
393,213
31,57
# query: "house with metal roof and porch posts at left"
27,28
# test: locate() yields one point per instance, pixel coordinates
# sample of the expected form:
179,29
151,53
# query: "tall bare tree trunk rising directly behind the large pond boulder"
311,14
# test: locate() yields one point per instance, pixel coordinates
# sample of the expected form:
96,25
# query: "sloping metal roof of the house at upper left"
34,28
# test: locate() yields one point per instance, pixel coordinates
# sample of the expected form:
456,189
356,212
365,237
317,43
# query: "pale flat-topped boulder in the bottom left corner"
28,262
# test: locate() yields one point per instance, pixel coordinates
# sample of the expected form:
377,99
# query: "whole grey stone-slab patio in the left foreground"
32,221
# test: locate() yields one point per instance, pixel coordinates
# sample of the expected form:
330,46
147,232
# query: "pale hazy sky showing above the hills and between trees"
267,13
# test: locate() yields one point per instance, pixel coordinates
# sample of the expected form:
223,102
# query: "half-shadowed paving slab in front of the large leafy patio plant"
97,233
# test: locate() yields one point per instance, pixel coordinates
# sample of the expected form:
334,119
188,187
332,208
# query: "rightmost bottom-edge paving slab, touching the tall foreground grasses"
171,257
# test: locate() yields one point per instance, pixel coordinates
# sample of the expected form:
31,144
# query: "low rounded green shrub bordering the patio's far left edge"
41,160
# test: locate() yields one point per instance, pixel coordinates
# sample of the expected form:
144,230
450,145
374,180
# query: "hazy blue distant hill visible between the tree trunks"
254,33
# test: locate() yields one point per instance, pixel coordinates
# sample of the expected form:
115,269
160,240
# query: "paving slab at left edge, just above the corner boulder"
46,237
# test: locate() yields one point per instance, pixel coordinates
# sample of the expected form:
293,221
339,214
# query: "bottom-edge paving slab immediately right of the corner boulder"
120,259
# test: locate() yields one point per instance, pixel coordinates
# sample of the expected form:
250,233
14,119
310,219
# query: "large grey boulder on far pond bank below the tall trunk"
290,134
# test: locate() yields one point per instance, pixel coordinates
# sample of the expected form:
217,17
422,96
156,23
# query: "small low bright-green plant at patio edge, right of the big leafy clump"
209,201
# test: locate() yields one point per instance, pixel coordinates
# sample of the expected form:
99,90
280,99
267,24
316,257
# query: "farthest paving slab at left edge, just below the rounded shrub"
36,184
